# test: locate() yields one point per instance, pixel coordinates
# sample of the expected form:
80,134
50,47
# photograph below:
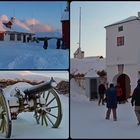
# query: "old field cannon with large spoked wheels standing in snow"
42,99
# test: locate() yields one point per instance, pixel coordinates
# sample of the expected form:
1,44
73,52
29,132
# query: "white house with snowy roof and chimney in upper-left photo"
11,32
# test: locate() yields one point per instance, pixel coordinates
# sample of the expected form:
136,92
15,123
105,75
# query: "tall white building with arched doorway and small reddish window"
123,53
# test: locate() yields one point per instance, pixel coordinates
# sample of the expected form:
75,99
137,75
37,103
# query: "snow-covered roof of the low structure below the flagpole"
87,65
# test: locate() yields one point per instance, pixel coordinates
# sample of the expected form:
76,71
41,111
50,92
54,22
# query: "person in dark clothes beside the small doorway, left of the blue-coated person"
101,90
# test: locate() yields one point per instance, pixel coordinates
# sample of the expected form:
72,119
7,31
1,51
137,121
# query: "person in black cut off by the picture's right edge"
136,99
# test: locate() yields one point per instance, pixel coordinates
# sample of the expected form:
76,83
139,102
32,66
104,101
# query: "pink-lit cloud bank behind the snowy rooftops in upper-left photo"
31,24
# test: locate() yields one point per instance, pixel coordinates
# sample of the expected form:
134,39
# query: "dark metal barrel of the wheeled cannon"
39,88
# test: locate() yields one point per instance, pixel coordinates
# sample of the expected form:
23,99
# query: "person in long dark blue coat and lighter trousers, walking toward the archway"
111,99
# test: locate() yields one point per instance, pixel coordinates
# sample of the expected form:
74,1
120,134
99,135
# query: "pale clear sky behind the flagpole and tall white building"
94,17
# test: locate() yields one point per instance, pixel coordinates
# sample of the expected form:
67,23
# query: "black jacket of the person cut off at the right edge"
136,96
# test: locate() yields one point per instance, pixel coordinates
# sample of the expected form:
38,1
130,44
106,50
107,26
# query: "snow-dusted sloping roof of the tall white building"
131,18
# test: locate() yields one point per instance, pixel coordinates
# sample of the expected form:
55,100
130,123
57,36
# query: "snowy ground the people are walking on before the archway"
87,119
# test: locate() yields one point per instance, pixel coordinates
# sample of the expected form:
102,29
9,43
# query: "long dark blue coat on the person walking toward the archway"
111,98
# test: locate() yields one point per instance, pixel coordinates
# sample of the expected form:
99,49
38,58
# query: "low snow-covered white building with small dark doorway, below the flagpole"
88,66
